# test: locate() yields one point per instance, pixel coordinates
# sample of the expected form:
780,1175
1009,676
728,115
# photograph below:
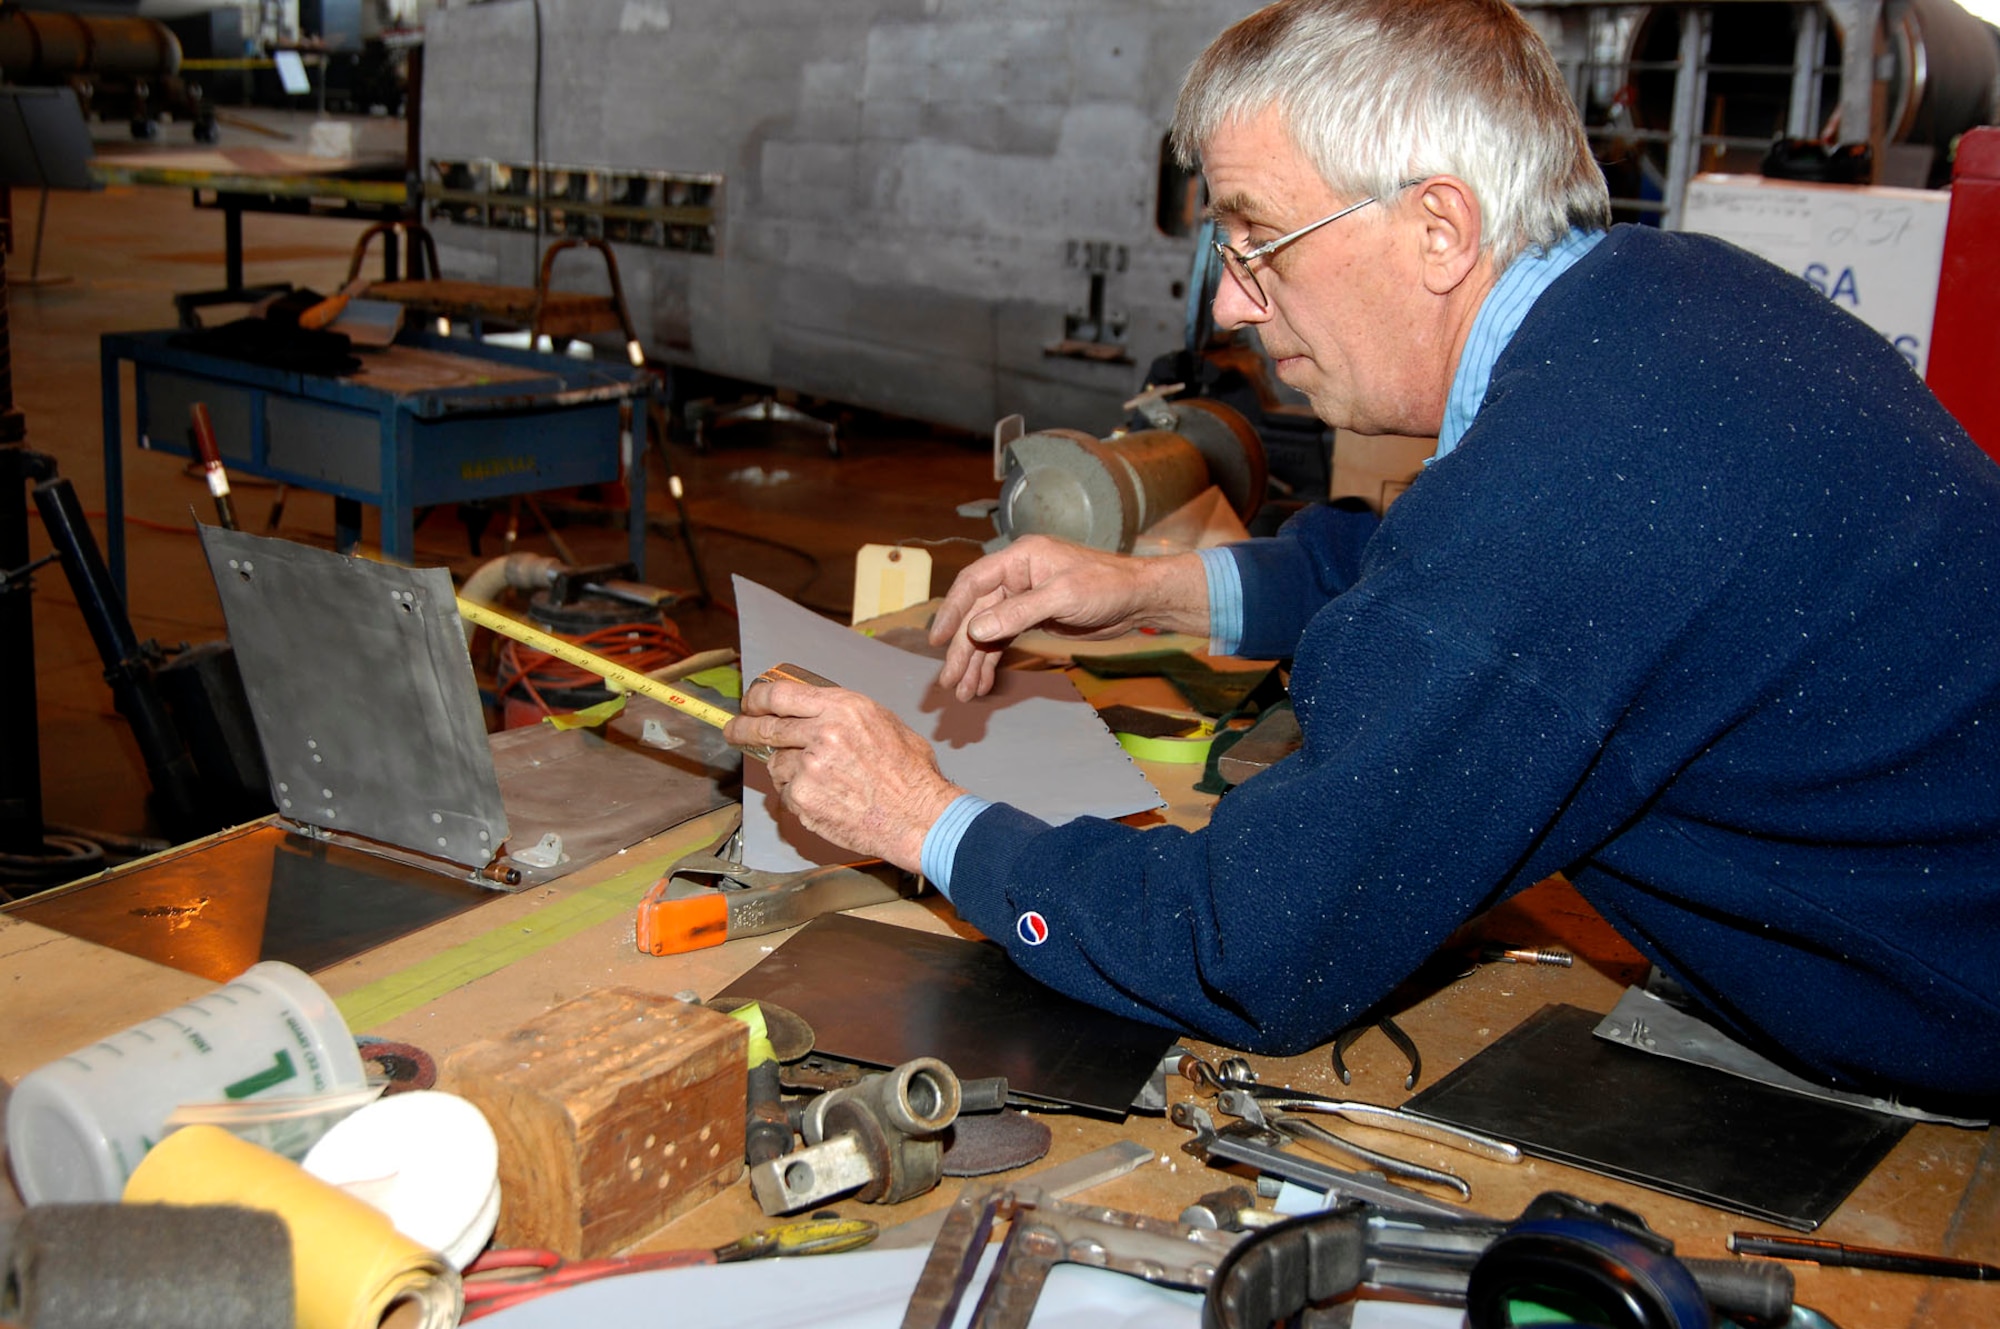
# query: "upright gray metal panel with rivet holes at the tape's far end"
315,631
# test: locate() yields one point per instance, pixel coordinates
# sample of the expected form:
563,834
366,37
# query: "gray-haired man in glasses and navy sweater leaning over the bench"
1695,603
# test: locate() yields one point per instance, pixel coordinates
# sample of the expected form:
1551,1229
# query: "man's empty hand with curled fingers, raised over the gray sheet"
1063,589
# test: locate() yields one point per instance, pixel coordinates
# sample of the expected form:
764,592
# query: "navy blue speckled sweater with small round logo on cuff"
1703,611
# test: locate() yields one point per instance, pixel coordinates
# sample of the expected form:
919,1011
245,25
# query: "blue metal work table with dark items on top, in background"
425,421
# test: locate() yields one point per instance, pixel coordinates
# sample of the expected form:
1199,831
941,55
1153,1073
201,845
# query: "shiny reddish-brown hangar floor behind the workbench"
767,501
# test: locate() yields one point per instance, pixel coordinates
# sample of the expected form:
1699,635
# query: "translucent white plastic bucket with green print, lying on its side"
79,1126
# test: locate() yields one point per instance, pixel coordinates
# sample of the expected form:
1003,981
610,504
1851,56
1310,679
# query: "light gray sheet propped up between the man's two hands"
1033,742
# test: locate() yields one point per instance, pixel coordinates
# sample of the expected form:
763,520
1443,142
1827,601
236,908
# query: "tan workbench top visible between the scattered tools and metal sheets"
511,960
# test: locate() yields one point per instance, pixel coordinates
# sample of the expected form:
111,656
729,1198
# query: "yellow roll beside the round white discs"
351,1268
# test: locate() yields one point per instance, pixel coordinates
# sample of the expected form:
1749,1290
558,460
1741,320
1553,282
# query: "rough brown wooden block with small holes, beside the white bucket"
617,1112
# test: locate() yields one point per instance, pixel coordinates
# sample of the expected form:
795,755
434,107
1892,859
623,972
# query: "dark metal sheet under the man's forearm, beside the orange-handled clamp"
883,996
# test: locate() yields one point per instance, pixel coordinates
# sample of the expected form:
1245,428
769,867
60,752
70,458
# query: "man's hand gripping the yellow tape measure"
847,768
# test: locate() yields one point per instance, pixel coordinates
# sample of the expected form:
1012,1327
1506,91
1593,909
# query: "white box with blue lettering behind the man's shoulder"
1873,251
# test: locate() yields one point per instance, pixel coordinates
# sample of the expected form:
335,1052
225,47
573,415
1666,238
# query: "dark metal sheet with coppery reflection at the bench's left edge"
253,894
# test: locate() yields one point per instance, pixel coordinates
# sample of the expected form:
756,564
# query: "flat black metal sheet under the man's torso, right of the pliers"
1563,1094
